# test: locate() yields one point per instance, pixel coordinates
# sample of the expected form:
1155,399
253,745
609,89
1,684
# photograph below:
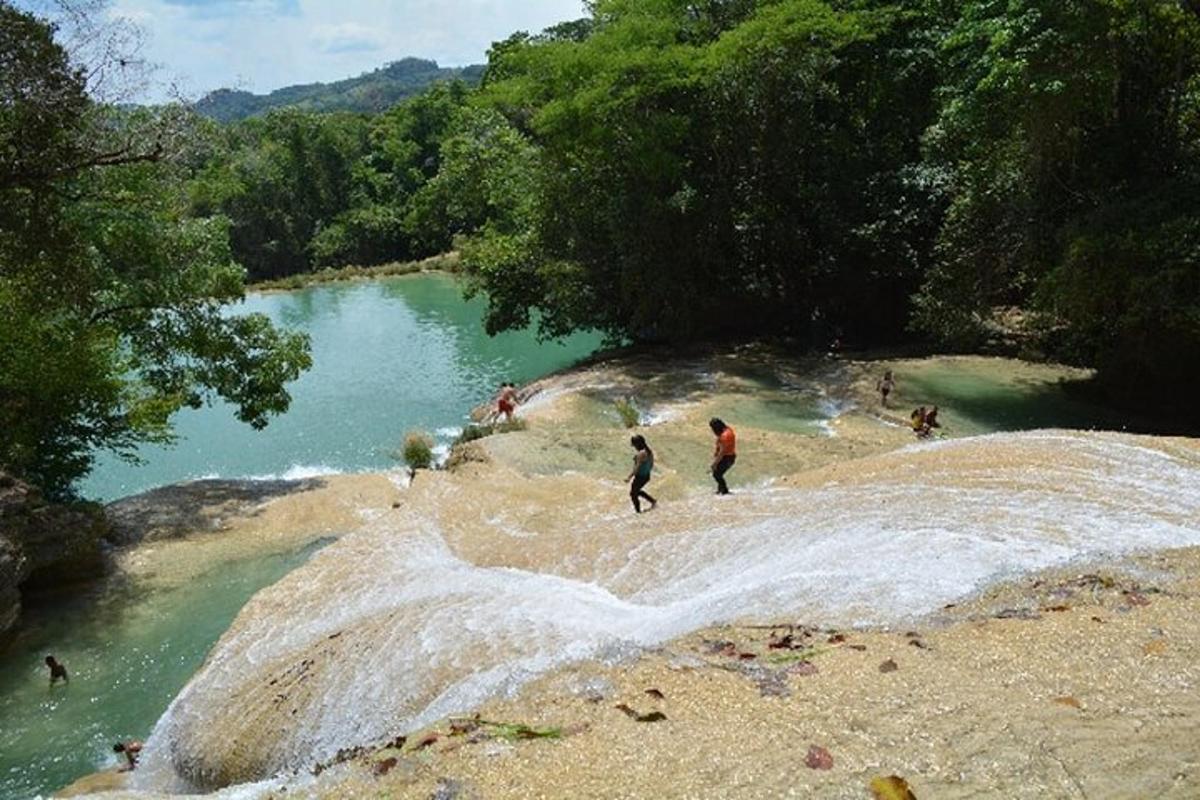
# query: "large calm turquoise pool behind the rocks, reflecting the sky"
388,357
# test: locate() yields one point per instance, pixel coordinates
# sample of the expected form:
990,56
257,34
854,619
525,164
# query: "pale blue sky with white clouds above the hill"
263,45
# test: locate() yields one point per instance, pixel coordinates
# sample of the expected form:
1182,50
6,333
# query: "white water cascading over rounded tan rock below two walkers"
394,627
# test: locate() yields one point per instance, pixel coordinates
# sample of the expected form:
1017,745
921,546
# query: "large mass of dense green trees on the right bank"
856,167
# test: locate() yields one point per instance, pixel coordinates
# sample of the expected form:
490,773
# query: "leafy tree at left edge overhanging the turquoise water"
111,293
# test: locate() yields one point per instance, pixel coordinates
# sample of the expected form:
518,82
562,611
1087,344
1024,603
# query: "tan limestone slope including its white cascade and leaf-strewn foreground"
523,574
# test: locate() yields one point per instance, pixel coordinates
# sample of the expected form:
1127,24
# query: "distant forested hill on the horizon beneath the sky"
371,92
